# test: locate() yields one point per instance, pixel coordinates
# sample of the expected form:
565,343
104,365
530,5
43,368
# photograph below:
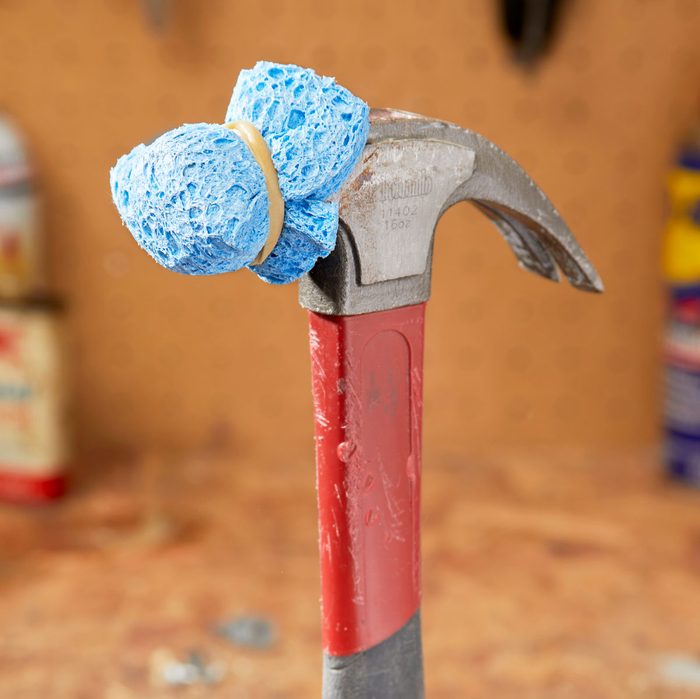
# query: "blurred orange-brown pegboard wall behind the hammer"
511,359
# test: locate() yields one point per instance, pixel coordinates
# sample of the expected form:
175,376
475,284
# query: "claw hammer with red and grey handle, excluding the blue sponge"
366,305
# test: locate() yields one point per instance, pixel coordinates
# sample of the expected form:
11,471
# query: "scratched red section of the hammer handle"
367,373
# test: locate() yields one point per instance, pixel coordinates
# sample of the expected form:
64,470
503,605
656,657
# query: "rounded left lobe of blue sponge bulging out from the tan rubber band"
194,199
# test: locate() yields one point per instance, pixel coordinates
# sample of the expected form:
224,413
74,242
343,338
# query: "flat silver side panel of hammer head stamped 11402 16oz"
393,200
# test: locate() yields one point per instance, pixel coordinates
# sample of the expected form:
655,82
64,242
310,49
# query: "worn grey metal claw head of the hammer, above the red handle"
411,171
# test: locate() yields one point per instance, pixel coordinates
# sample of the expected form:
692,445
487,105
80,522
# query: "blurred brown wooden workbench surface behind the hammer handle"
546,575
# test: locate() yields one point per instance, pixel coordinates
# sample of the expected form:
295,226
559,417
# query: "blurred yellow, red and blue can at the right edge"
681,268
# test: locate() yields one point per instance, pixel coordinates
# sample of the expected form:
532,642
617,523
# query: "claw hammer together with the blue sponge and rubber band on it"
203,200
